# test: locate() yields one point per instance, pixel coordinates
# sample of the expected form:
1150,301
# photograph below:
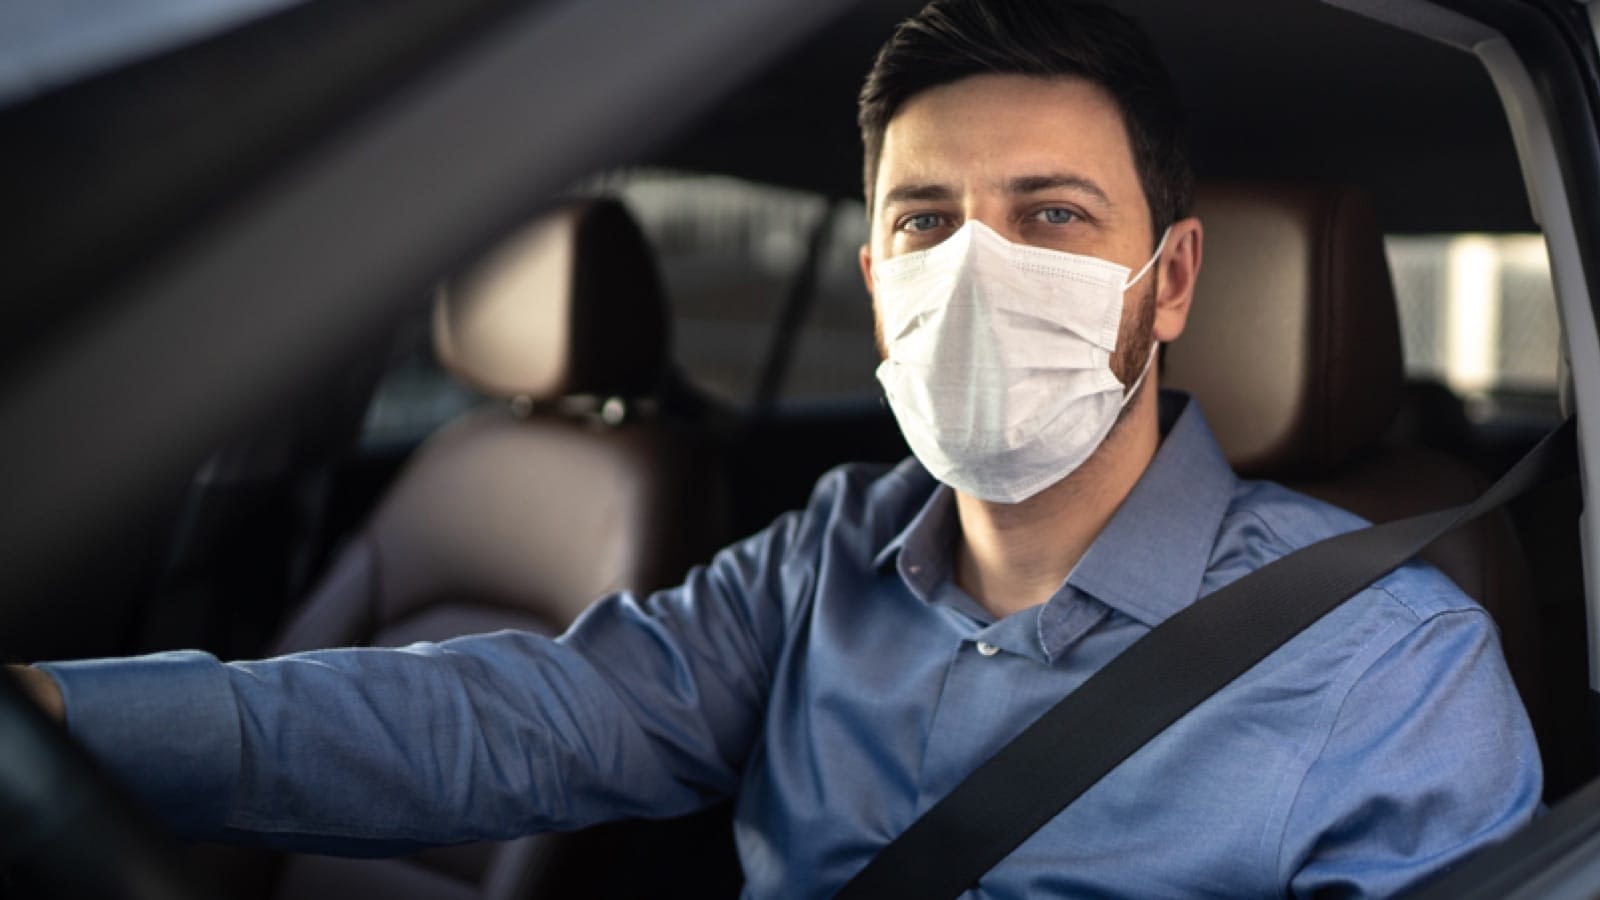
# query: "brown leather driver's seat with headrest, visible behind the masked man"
1294,352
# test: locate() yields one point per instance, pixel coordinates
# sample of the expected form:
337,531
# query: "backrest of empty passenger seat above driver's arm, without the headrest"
529,520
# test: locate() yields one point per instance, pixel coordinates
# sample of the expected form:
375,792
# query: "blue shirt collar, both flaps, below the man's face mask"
1151,558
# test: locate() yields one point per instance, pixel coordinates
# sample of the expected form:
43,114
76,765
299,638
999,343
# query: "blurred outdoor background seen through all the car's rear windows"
1478,311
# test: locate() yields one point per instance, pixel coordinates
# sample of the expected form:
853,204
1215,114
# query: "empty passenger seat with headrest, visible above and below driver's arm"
572,484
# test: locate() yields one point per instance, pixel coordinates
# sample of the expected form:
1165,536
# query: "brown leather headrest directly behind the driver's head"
1294,344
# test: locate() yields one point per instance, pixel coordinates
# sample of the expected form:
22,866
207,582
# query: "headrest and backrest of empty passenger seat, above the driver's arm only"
534,510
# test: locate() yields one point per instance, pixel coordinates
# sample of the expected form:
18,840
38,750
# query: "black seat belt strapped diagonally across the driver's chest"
1153,685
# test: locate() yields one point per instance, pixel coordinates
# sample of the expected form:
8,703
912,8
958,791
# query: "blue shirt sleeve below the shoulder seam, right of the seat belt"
1430,758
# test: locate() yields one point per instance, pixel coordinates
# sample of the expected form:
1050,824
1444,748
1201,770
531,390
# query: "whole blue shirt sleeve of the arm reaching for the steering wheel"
646,707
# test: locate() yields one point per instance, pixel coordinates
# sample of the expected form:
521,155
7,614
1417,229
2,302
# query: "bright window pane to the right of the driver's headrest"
1478,311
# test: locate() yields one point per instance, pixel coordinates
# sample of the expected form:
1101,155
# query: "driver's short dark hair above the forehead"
954,39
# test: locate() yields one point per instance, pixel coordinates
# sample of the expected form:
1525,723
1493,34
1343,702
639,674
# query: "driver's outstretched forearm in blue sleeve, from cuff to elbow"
374,750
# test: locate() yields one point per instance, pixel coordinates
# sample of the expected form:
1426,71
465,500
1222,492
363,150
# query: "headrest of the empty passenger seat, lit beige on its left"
570,305
